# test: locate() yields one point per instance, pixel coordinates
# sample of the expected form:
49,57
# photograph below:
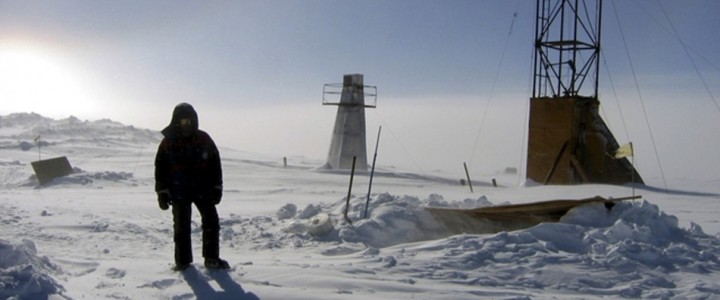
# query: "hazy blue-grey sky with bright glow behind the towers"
453,77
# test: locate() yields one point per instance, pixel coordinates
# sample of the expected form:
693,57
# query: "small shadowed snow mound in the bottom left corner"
25,275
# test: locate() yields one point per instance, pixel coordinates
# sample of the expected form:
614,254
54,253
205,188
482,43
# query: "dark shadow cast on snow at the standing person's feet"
203,290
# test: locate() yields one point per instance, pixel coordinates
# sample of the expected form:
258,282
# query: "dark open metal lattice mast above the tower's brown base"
567,48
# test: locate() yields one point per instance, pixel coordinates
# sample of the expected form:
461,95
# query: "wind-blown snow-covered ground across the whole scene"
98,234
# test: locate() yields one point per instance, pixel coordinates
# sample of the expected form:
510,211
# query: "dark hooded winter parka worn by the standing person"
187,165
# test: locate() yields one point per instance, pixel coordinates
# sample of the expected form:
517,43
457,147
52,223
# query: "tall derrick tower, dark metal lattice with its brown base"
568,141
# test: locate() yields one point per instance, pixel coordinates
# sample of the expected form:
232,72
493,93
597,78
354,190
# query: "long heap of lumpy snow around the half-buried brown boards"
589,229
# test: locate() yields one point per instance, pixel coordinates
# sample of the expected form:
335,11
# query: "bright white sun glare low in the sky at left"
31,81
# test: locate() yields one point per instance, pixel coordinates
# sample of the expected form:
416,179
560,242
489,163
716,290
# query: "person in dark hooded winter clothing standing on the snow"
188,171
